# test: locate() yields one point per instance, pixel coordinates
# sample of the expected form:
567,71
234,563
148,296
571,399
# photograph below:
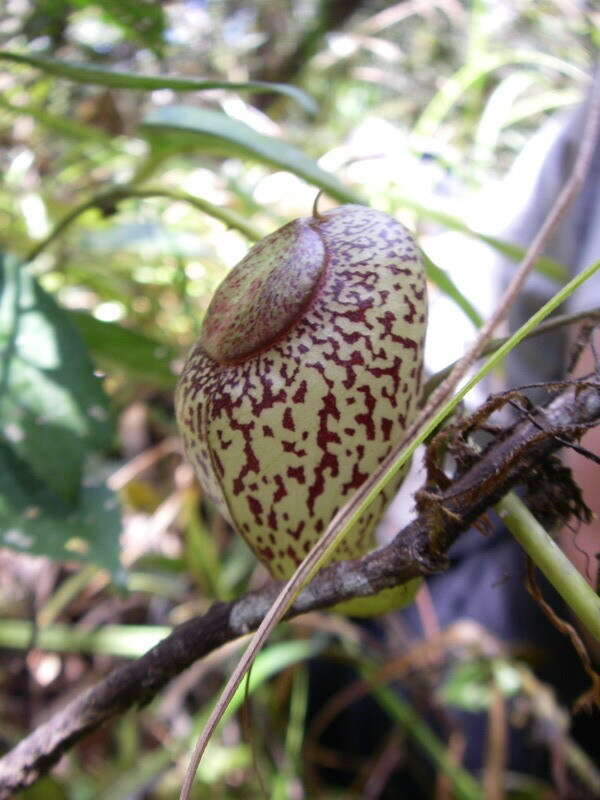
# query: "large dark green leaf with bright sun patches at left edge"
53,410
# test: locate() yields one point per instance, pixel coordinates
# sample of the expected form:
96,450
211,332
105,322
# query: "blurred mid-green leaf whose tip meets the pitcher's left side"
117,347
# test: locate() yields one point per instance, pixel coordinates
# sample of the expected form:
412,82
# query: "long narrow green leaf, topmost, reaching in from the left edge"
90,74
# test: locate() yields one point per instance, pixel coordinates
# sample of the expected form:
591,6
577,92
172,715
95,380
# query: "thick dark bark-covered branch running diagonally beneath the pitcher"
412,553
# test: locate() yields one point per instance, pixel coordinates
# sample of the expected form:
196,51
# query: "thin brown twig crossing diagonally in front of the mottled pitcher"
329,540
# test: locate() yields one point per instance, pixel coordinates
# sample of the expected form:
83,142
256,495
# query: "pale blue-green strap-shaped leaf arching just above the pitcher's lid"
178,128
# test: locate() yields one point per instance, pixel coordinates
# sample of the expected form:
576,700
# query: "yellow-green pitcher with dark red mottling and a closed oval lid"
318,395
